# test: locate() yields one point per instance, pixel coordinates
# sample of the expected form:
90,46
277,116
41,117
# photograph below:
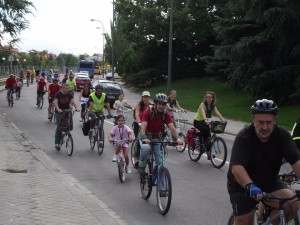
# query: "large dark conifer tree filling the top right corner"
259,48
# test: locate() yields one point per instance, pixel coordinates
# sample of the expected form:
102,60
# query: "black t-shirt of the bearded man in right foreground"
262,161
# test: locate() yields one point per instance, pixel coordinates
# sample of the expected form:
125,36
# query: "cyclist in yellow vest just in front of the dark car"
97,101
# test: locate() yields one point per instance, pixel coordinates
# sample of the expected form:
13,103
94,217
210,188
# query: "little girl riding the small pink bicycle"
121,134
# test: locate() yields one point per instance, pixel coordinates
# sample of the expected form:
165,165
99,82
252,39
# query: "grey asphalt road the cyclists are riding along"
199,190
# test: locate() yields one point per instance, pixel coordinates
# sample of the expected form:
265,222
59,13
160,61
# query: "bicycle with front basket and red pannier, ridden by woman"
215,147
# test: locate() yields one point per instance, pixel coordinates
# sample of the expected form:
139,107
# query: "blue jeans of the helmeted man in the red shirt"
145,150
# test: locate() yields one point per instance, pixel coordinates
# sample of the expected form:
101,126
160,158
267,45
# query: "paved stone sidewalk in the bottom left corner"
35,190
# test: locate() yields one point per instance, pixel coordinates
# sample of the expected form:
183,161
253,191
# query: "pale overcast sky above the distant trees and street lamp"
65,26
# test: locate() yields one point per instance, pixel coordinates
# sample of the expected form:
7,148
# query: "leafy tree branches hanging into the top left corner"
12,18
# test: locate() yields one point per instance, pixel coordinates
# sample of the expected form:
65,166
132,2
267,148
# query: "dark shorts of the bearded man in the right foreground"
242,204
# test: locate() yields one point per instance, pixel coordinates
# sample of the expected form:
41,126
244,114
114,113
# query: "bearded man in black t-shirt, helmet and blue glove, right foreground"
255,162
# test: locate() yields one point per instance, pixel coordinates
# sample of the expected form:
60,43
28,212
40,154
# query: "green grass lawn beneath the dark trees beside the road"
232,104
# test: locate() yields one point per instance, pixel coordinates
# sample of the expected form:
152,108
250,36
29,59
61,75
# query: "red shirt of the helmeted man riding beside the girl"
156,124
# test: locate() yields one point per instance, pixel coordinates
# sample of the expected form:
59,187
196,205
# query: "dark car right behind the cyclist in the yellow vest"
111,88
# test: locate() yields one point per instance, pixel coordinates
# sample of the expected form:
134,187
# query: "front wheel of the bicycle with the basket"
218,151
